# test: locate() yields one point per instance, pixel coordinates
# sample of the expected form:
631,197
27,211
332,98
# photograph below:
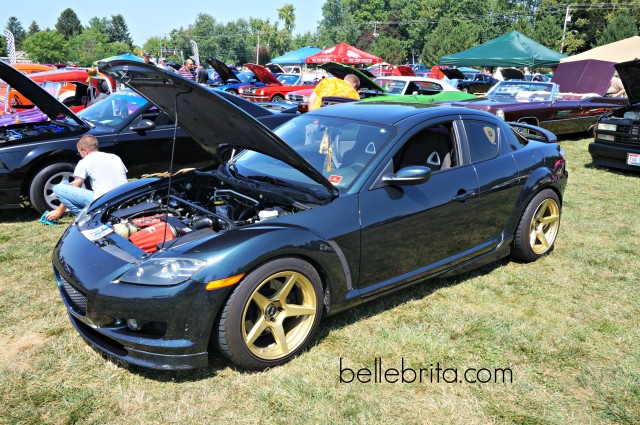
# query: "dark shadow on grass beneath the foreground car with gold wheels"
385,302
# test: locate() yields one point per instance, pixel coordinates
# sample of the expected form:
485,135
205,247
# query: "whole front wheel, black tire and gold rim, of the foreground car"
282,324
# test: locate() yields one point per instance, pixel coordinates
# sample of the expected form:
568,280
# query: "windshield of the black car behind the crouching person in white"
114,109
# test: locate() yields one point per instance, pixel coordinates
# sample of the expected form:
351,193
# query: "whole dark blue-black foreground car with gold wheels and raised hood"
331,209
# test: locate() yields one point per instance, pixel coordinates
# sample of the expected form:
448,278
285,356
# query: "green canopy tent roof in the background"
511,49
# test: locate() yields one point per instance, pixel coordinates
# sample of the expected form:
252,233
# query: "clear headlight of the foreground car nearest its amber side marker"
162,271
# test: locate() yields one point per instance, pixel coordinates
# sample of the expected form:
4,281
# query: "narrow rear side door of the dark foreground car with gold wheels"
499,182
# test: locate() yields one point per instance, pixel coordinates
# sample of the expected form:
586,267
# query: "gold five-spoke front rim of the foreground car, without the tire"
279,315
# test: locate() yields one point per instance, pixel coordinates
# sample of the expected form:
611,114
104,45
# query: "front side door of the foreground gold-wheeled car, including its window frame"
412,231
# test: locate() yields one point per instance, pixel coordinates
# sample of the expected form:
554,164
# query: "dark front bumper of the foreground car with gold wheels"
177,320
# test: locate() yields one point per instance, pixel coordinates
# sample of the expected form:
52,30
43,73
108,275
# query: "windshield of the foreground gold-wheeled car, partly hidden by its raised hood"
339,149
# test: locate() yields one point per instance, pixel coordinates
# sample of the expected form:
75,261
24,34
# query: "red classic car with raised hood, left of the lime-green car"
275,88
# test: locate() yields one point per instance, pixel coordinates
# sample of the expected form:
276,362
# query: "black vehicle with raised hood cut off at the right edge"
617,136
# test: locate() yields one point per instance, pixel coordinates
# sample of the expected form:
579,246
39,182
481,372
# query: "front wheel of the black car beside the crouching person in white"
41,188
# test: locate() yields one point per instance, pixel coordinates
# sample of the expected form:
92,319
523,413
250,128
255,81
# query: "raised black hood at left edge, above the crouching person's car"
44,101
